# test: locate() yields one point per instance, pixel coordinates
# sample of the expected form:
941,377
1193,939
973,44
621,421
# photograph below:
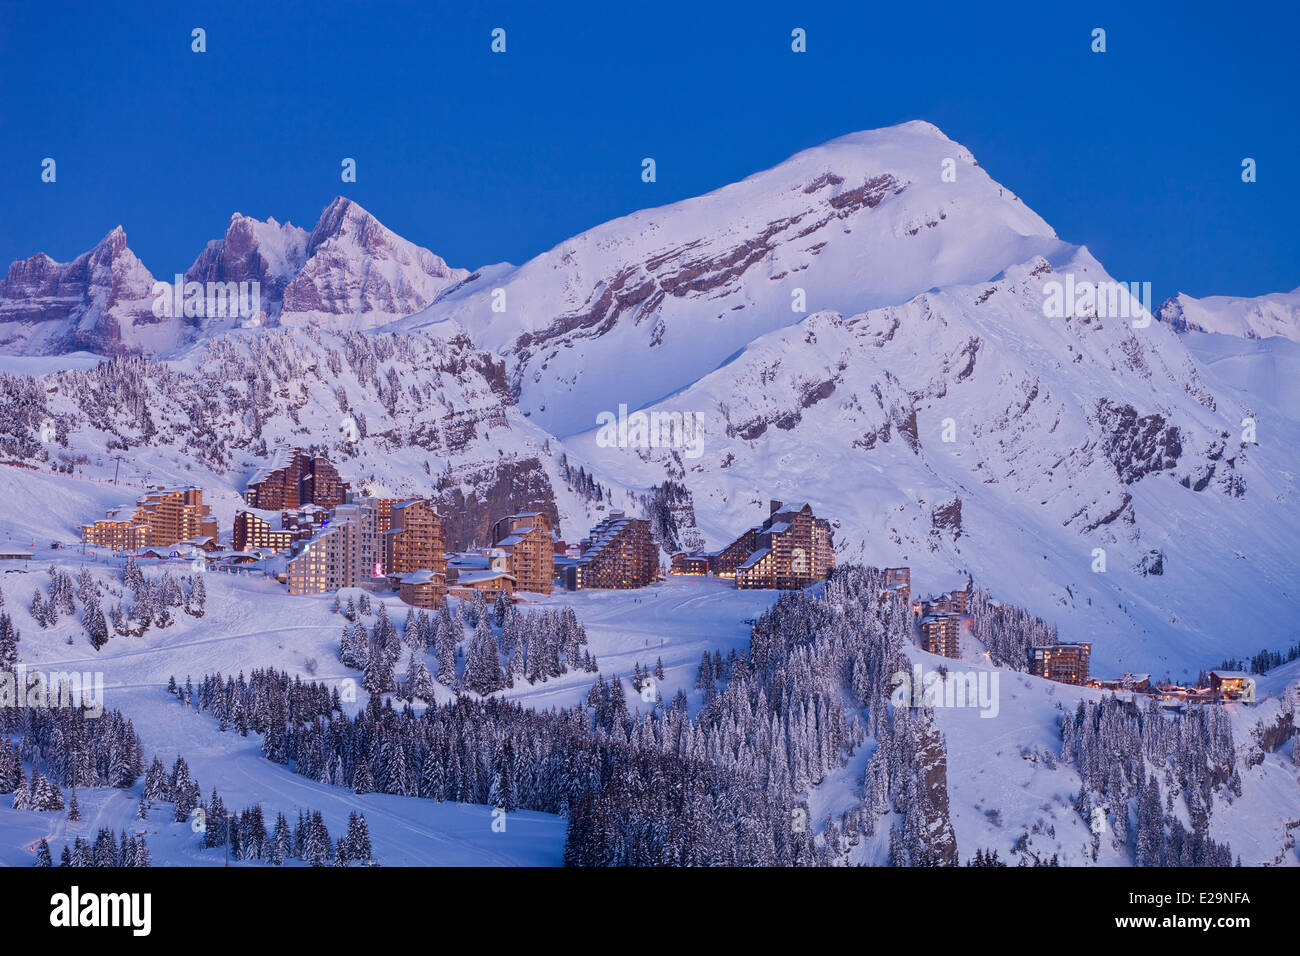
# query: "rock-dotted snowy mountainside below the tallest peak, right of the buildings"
964,430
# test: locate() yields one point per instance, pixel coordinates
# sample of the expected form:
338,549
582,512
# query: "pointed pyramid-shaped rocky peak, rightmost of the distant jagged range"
359,275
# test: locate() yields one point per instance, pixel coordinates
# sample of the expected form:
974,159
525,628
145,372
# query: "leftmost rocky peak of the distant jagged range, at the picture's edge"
98,302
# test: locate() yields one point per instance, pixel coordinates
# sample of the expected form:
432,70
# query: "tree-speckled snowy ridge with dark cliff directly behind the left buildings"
434,417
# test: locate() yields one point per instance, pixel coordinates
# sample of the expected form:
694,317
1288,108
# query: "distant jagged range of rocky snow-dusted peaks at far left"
350,272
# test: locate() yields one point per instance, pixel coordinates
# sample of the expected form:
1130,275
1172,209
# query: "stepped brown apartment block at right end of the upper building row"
791,550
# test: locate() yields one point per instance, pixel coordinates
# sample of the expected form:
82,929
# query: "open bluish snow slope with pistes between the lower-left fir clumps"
250,624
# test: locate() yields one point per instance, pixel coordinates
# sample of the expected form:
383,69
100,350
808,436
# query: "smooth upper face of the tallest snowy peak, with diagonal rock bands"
645,305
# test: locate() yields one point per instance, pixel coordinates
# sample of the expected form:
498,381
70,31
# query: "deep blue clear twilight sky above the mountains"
482,158
